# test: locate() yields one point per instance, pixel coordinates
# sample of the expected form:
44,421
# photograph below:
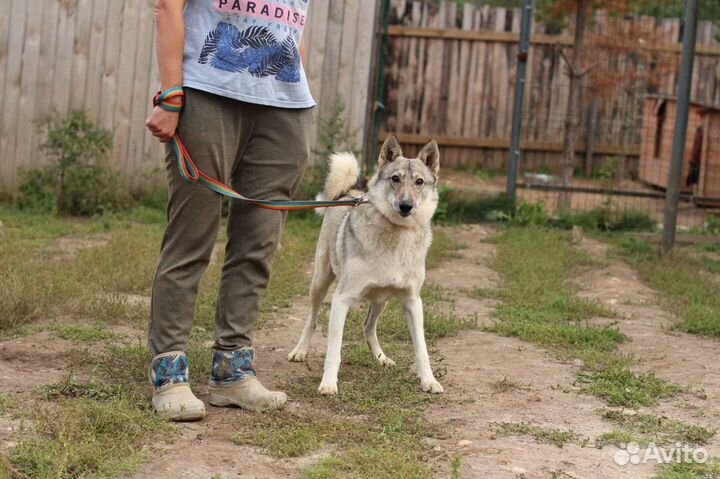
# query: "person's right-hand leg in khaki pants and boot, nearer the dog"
269,167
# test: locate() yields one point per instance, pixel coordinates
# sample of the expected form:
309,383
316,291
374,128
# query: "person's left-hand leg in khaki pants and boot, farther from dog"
193,220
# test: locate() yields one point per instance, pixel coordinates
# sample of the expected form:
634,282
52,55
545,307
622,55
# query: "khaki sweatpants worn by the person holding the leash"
262,153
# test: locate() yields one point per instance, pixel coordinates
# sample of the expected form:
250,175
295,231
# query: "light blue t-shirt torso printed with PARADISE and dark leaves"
247,50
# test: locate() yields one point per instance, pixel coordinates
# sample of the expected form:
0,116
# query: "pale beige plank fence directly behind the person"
98,55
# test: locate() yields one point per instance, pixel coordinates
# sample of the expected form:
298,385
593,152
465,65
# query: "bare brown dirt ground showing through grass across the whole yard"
544,394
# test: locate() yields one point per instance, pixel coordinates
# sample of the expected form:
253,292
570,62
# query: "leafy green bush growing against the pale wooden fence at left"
77,180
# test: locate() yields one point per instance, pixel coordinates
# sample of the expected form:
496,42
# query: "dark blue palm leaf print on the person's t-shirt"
255,49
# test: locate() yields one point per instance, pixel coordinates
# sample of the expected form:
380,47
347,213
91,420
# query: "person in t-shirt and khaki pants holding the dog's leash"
245,122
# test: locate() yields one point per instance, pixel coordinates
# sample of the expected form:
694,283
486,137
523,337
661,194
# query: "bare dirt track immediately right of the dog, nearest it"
542,394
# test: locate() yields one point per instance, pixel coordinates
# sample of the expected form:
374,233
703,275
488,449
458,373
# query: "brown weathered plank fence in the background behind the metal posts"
451,76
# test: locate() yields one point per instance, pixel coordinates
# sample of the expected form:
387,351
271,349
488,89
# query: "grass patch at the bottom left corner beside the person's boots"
101,427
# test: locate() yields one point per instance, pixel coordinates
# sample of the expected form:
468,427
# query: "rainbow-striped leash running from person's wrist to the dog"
173,100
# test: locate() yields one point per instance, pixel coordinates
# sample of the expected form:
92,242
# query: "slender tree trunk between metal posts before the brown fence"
574,110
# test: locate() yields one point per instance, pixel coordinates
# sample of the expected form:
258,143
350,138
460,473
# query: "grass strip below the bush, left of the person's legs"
38,283
